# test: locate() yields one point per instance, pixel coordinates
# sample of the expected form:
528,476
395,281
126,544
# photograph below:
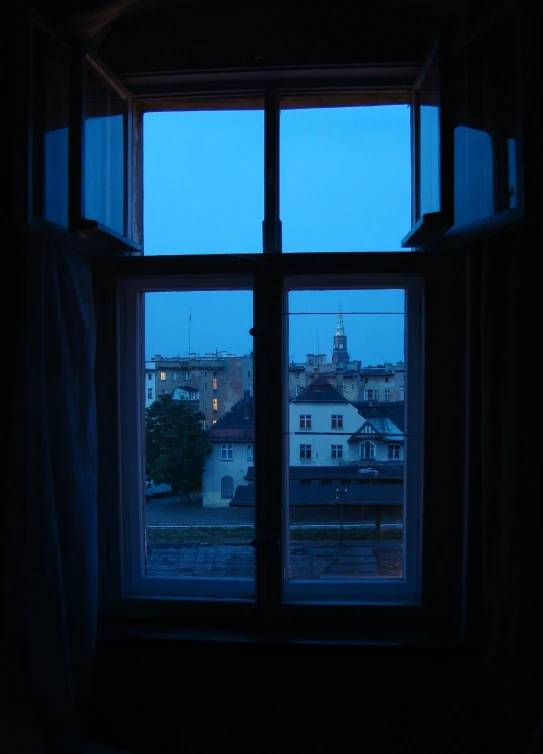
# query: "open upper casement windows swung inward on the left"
84,144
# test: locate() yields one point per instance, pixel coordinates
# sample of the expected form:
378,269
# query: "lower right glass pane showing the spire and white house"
346,436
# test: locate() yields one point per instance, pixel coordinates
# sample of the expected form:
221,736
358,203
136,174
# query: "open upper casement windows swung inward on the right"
466,136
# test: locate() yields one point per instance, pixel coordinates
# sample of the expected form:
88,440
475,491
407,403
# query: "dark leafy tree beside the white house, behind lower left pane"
176,445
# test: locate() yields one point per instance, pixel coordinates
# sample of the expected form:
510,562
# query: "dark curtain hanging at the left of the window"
51,517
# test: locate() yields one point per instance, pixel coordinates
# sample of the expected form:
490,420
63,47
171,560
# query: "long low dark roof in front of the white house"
318,494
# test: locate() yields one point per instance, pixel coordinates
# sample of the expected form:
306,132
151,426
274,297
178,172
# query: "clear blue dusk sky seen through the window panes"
345,186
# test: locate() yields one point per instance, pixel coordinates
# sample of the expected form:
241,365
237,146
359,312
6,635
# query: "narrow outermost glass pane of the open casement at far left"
51,120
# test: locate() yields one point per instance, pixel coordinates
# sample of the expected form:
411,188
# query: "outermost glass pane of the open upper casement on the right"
485,132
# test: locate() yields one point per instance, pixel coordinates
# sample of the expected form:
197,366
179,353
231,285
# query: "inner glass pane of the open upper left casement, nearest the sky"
104,153
